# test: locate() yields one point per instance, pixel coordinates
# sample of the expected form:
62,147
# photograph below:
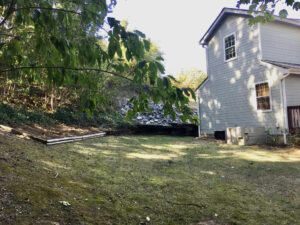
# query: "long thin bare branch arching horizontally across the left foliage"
65,68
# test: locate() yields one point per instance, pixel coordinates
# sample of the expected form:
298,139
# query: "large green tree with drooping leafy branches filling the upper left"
58,43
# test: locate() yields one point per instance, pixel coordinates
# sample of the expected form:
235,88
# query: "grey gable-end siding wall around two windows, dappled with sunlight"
228,98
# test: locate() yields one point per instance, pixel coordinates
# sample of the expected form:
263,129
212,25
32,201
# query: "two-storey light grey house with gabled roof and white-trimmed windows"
253,74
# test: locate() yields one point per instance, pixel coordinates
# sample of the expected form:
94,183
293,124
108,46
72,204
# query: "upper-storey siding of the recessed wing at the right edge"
280,42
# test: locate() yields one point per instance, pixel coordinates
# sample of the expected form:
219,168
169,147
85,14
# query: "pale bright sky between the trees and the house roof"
176,26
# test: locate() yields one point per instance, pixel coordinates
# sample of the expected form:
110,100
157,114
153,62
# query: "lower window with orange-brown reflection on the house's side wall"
263,97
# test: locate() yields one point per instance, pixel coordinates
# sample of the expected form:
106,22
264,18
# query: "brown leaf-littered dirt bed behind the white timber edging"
56,131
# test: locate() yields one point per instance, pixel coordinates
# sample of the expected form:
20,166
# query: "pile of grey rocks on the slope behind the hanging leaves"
156,117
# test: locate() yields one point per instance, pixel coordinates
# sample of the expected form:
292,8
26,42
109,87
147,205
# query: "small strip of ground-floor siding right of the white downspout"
293,90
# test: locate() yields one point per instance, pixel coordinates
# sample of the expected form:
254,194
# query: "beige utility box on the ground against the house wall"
246,135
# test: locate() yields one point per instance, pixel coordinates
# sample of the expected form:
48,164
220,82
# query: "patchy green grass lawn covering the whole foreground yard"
124,180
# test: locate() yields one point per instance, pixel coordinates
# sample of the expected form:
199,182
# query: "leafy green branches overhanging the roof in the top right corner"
268,7
